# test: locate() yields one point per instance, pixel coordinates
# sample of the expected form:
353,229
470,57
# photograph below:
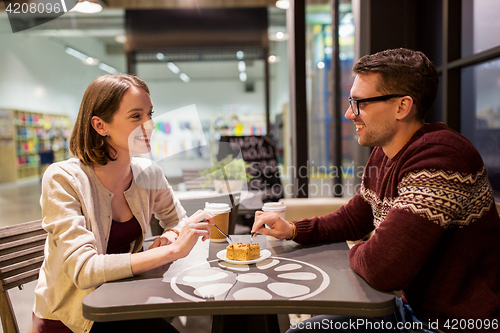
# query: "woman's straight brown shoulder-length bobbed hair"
102,99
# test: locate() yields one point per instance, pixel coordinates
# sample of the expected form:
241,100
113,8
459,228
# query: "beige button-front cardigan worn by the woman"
76,210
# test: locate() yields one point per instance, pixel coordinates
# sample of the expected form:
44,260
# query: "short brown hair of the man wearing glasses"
403,71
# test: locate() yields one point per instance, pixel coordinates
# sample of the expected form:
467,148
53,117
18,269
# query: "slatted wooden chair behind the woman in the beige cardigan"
21,256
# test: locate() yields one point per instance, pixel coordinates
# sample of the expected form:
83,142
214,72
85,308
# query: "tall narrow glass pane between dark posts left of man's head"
319,42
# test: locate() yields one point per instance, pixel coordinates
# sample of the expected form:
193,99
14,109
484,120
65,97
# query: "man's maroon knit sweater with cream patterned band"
437,232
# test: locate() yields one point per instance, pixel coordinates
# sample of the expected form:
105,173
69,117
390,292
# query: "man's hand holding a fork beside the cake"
278,226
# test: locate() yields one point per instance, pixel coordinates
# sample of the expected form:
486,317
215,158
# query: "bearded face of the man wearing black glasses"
375,124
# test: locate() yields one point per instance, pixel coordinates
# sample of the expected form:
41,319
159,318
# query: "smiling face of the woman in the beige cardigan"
130,129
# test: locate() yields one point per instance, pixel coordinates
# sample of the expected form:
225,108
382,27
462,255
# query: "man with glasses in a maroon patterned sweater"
426,195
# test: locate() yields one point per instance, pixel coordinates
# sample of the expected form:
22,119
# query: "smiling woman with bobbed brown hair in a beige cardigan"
96,209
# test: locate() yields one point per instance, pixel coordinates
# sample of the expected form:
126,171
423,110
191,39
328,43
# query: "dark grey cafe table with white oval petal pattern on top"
292,278
